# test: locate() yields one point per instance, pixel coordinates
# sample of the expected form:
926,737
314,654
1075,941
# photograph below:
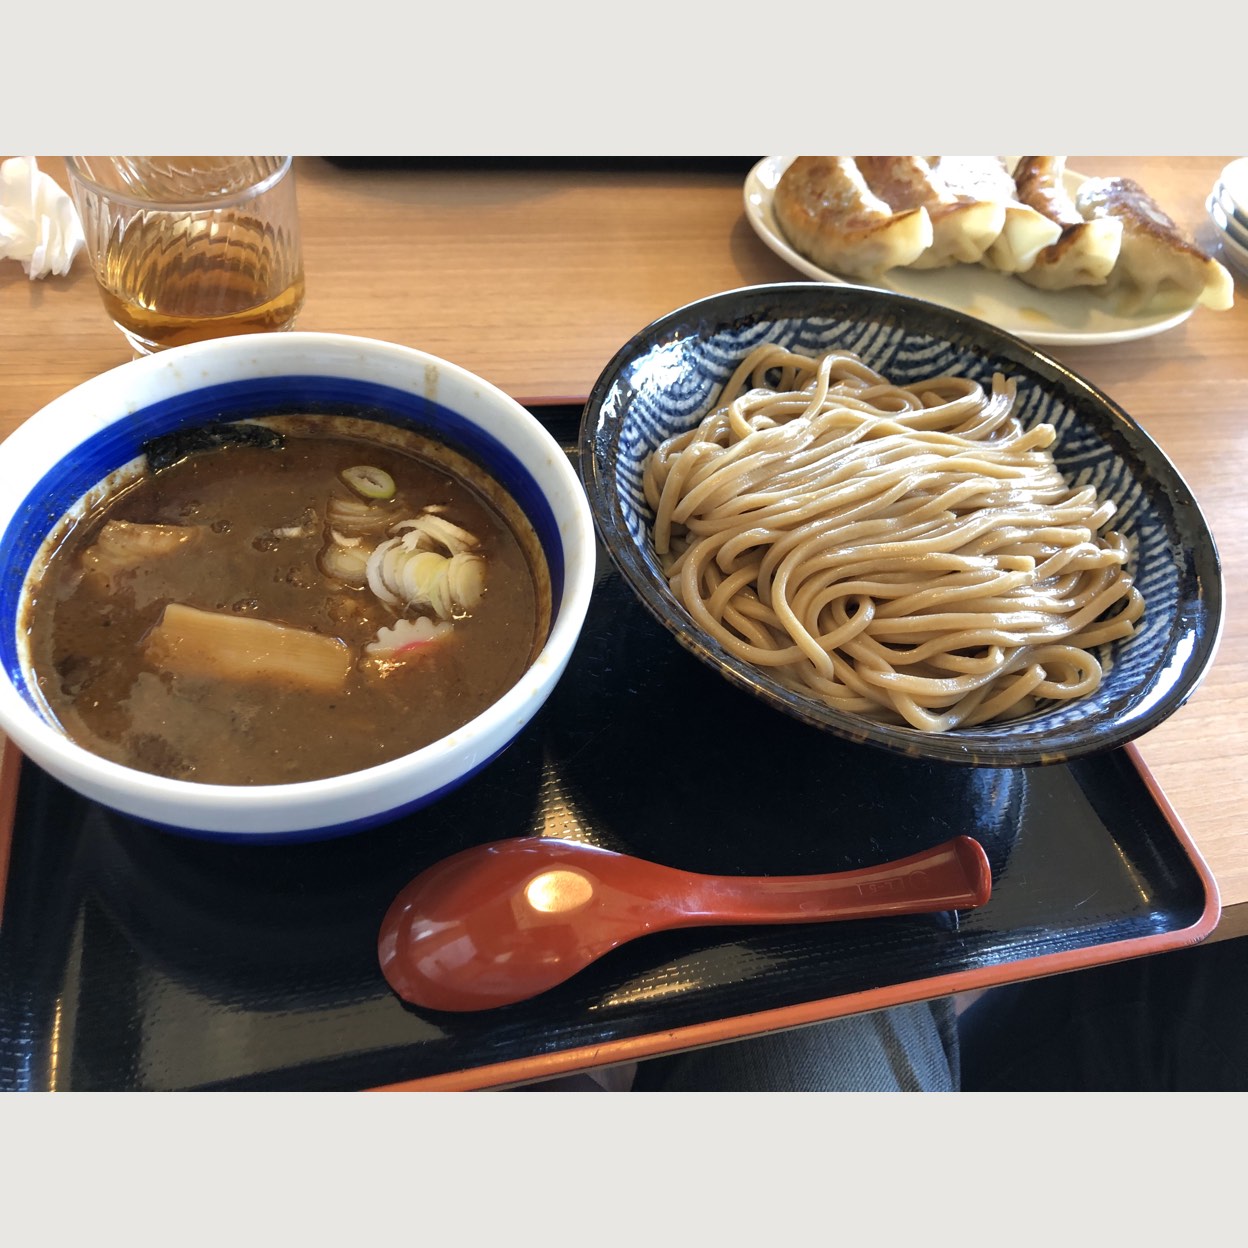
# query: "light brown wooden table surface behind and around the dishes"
534,279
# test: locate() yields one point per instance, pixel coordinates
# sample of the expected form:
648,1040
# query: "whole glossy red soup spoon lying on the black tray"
502,923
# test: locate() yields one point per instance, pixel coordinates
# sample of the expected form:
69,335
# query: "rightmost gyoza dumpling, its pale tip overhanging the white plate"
1160,268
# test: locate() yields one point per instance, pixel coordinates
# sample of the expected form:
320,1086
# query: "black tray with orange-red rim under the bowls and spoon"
132,959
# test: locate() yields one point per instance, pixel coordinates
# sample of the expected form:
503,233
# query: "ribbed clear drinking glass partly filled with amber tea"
192,248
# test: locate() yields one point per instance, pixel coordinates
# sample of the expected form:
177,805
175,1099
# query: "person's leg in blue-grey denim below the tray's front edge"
908,1049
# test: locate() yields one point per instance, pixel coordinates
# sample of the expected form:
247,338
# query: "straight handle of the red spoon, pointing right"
954,875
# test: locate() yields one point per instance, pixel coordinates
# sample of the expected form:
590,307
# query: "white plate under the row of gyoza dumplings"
1069,319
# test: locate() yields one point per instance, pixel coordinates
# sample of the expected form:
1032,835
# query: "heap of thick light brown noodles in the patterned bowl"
908,553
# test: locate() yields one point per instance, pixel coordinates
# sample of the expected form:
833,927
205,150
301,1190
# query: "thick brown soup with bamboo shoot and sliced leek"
232,620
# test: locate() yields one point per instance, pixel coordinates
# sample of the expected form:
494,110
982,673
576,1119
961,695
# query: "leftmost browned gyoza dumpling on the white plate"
829,215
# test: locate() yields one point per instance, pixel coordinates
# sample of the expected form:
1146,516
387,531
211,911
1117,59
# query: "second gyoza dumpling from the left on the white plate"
963,227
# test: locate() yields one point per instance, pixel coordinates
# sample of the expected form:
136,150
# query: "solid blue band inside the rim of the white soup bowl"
120,444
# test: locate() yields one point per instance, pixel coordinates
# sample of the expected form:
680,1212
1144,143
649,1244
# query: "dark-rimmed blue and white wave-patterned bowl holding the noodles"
667,379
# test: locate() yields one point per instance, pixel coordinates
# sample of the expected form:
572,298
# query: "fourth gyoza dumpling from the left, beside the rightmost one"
1086,251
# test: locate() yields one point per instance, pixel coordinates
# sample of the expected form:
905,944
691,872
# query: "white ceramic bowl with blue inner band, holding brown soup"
62,452
